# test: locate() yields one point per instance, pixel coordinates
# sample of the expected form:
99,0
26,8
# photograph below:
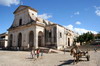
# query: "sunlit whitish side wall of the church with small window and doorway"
63,41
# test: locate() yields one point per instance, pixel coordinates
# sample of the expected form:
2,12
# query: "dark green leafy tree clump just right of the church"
85,38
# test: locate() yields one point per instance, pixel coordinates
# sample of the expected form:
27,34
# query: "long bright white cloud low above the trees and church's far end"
79,30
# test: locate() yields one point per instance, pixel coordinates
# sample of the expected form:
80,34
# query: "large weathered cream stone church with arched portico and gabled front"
30,31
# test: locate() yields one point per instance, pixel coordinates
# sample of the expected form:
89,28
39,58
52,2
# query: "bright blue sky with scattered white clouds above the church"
80,16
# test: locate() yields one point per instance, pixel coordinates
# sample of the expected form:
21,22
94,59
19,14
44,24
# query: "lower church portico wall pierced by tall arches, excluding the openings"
25,36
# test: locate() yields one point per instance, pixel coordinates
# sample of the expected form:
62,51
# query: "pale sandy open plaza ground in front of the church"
23,58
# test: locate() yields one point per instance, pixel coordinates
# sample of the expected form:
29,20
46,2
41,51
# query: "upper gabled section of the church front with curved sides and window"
23,15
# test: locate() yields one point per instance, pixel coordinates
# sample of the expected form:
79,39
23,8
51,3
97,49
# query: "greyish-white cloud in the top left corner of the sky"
9,2
